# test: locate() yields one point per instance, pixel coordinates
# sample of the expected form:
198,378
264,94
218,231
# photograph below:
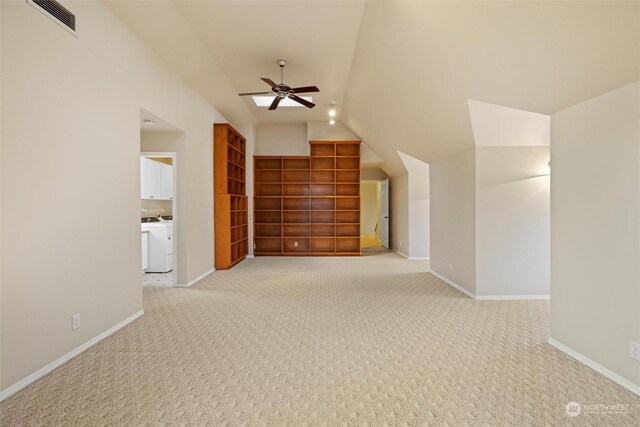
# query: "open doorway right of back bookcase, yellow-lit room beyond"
374,215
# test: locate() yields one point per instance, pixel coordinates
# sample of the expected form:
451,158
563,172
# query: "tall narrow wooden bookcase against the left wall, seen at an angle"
230,200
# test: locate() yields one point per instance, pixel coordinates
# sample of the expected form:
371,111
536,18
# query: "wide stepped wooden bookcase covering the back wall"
308,205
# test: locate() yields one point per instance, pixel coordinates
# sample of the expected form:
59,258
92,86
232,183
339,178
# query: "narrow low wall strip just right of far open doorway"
399,195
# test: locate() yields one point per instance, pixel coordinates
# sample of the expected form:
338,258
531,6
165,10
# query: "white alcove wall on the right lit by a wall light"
512,220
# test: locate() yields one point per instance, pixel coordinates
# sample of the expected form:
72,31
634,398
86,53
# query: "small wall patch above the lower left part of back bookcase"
282,140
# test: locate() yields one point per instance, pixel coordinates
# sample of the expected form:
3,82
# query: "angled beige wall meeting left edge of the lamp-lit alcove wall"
452,198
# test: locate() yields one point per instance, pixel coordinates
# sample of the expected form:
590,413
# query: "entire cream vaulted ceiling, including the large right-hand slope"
401,72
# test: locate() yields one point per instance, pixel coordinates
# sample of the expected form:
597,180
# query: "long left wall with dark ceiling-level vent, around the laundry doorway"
71,141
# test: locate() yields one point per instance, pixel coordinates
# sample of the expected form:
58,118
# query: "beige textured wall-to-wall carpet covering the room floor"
371,340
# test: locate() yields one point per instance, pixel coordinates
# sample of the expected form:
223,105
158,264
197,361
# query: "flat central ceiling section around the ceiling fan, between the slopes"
316,38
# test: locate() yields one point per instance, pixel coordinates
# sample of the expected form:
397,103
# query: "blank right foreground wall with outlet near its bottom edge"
595,232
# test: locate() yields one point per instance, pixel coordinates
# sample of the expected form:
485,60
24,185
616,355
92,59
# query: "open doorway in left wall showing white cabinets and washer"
158,202
